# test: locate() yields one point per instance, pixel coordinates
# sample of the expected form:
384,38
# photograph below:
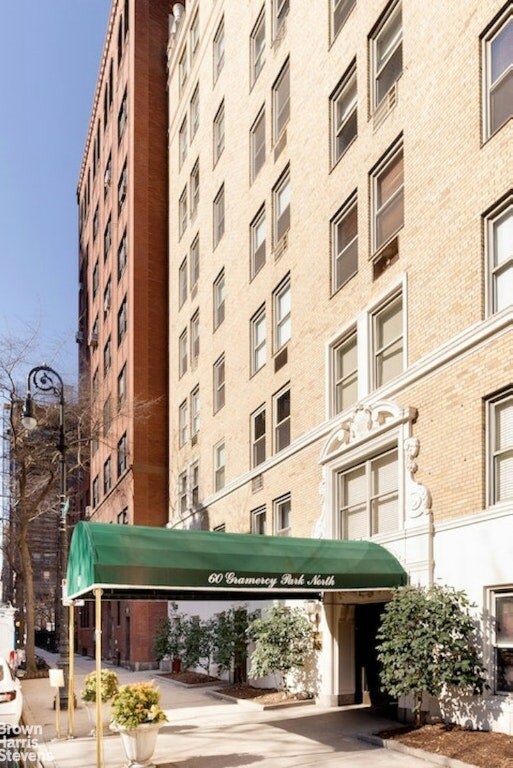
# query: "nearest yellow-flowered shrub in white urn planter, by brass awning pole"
137,717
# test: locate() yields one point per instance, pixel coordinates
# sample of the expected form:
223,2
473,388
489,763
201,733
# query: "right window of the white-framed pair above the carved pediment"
388,341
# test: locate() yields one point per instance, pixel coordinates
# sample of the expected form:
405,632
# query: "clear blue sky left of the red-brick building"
50,54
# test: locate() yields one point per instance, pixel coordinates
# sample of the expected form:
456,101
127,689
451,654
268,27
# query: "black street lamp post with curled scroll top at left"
46,380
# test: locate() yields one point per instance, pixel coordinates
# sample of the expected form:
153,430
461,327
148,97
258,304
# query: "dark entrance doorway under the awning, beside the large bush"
367,683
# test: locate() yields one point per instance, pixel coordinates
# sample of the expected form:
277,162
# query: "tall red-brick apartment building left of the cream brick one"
122,198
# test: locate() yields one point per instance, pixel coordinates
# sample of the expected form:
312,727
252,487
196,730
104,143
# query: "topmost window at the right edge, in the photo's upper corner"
498,71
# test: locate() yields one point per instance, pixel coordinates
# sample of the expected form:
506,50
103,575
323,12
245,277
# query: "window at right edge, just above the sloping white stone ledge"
500,257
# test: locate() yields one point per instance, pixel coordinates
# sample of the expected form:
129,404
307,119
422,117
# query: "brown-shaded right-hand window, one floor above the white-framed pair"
388,197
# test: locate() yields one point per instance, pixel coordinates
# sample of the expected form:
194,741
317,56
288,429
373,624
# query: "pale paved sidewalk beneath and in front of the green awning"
206,732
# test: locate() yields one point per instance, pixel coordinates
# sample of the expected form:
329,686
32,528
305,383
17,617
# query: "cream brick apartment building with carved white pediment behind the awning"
341,296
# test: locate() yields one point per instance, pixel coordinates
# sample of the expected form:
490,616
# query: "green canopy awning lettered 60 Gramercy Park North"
132,561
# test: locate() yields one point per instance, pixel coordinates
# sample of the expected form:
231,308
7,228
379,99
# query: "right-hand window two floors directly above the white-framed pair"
387,53
